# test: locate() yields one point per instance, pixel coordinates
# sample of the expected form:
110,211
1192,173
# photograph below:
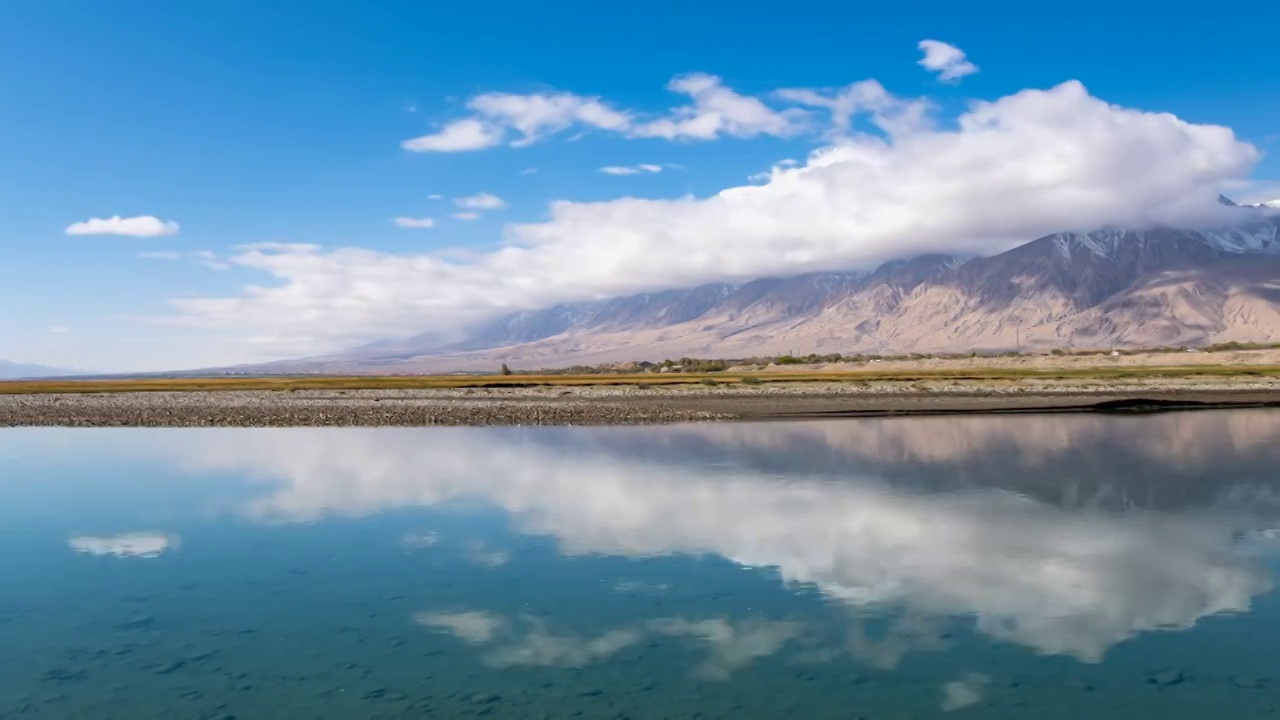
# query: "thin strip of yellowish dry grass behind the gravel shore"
428,382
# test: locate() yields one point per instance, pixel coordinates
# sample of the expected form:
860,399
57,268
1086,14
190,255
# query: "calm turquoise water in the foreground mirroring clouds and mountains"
1018,567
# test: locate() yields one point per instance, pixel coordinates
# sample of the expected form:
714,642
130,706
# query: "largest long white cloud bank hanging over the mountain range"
1004,172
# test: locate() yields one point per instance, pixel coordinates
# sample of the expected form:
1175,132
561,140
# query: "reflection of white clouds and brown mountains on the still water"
1132,531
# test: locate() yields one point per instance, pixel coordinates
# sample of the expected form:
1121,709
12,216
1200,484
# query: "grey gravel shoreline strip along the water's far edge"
604,405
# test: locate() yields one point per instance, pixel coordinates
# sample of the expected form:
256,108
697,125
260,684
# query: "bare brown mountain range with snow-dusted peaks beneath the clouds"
1113,288
